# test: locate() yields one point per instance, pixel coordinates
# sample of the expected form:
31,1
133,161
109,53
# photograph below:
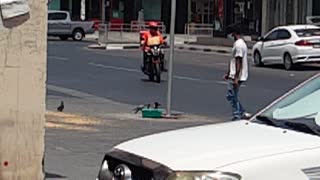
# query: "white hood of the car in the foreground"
215,146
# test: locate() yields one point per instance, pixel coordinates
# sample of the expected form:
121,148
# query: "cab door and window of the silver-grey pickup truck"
58,23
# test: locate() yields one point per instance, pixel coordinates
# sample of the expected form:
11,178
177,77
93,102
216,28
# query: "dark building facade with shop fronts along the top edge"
251,16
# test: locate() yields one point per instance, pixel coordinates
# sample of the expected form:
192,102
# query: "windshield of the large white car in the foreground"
299,111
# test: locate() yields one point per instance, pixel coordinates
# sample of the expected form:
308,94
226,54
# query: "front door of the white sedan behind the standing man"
268,46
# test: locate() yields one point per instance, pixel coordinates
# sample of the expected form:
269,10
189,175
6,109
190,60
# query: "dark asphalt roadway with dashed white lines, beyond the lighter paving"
198,87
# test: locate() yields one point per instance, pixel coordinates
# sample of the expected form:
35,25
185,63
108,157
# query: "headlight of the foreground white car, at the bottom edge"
204,176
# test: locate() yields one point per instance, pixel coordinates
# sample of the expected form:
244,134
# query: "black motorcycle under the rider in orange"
155,63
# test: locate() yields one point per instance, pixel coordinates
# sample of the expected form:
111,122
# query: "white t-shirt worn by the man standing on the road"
239,50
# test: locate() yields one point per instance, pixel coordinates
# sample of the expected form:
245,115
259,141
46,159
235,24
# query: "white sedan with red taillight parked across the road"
289,45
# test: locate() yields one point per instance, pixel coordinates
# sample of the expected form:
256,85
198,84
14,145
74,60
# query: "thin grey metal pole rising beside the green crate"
170,75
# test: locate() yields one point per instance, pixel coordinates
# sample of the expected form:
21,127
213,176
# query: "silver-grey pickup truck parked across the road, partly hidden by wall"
61,25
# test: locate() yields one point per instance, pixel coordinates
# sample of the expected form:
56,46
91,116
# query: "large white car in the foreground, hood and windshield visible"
282,142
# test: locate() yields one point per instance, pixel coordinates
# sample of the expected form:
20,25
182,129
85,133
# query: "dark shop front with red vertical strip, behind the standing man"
245,15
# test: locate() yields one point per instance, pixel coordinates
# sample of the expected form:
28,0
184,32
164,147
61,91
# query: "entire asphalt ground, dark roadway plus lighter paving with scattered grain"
107,84
